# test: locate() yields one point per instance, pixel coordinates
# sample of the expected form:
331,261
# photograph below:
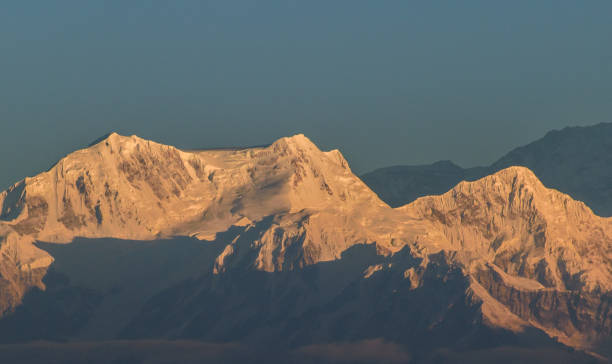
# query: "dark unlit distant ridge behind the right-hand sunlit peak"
574,160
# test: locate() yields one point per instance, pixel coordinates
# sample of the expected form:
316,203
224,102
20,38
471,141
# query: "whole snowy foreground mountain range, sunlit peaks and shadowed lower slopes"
283,246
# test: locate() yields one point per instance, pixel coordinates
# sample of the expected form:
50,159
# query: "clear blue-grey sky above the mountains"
386,82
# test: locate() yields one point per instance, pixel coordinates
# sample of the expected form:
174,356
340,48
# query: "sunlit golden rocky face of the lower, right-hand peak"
542,255
